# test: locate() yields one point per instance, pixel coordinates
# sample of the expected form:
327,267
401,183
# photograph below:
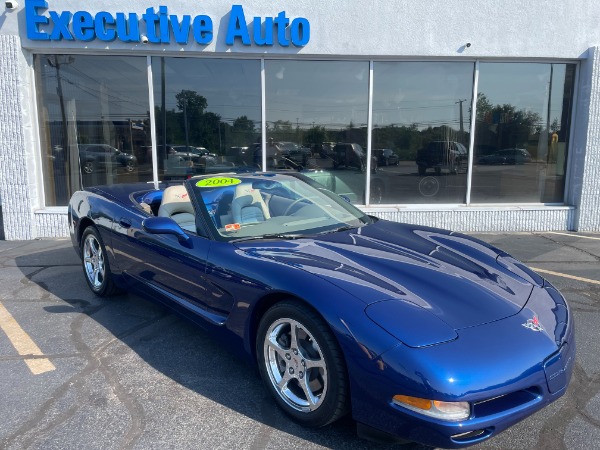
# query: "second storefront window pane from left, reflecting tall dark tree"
208,115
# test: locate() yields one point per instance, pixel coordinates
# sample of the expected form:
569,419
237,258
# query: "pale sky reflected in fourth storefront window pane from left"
422,93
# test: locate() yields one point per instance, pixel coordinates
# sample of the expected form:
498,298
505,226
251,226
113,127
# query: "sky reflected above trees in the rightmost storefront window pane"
524,85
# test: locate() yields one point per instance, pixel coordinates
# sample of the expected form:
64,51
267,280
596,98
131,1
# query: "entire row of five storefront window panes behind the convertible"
95,125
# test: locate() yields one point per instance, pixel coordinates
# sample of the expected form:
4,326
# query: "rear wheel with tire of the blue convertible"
94,261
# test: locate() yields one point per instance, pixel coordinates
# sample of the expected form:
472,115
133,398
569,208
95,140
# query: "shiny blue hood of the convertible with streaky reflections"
461,280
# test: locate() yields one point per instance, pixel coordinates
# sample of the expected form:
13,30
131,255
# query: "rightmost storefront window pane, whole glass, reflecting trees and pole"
521,134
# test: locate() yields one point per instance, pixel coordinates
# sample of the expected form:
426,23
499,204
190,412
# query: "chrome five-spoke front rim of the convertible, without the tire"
295,365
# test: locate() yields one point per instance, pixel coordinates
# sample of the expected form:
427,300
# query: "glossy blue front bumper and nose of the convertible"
504,369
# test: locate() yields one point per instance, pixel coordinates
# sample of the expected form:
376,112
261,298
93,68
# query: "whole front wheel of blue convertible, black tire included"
313,396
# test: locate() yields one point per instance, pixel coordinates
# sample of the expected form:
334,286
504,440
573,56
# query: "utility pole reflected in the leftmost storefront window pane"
70,158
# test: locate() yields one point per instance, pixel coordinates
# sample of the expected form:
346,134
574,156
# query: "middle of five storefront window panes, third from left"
317,121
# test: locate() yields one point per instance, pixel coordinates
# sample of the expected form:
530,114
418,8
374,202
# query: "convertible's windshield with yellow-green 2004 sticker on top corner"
272,205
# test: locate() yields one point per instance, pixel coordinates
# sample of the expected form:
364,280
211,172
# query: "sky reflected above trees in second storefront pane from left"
231,86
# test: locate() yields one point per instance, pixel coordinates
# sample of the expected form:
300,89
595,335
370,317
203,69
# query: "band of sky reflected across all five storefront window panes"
328,93
